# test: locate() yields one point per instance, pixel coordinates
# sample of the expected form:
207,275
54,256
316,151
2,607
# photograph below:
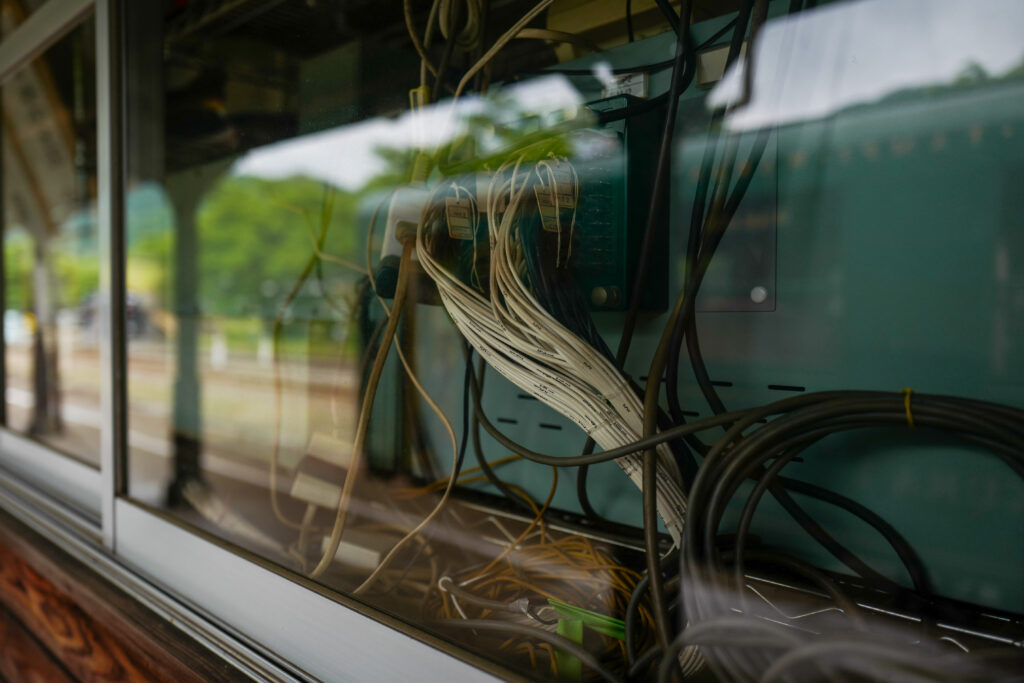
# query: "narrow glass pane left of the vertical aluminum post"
51,250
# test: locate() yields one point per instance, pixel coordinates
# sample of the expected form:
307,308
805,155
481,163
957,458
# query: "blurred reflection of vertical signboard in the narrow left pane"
38,144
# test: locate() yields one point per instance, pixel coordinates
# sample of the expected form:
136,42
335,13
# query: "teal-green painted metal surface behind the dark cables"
895,262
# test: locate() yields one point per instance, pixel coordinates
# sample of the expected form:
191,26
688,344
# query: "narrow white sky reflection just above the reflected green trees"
347,157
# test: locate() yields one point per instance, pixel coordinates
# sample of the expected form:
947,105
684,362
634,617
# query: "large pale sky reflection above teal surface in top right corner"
817,63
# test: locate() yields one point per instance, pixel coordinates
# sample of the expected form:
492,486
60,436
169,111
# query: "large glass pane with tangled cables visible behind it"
857,230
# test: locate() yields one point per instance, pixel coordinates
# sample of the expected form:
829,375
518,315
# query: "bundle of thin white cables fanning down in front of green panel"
524,343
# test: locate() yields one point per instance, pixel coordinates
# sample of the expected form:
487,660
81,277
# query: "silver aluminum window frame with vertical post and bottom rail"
261,619
